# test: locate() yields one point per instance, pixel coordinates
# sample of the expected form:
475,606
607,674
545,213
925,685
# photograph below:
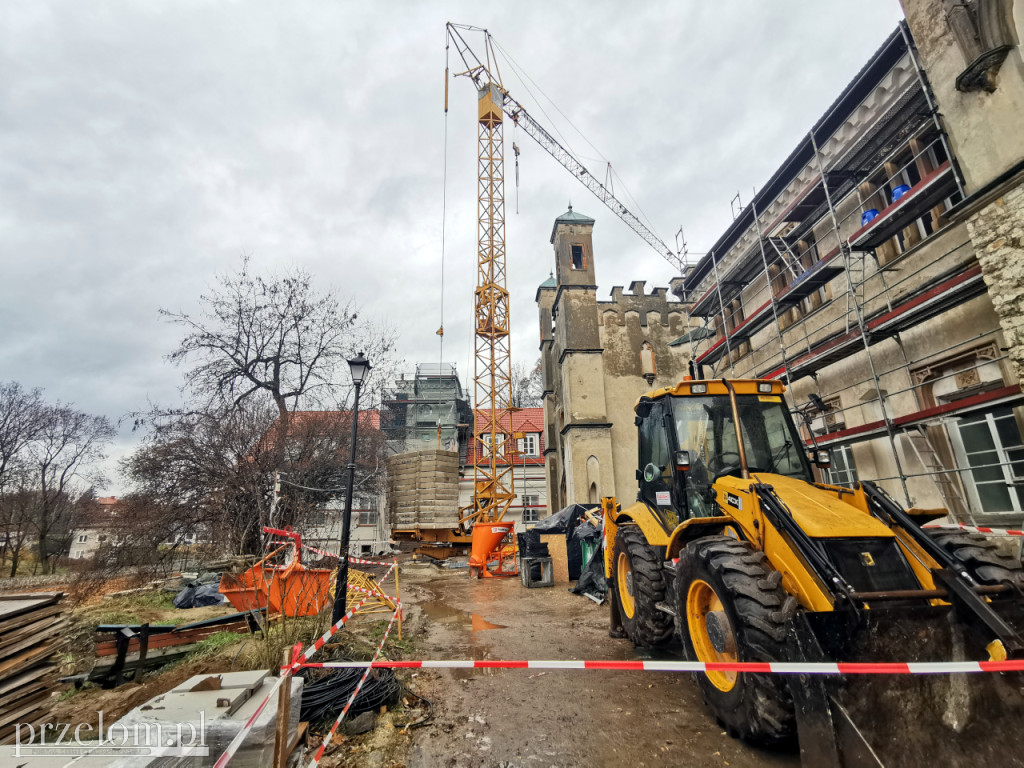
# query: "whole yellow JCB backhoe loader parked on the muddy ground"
735,548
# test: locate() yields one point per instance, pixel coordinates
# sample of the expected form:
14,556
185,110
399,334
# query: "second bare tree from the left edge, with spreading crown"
67,448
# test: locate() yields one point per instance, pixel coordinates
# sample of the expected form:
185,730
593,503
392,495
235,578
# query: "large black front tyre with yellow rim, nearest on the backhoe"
731,607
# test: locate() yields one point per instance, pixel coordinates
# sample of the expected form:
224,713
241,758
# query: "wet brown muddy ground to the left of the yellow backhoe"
534,718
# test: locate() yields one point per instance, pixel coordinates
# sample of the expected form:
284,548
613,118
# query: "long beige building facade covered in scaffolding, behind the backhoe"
837,270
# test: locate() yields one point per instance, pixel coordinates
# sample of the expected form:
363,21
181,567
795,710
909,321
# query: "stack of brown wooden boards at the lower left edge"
32,633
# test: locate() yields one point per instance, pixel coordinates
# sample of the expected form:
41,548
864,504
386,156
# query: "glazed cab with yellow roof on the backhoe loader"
689,440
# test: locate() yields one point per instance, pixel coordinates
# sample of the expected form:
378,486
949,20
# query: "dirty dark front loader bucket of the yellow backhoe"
958,720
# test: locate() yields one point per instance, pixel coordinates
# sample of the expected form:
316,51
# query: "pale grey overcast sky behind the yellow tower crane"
146,146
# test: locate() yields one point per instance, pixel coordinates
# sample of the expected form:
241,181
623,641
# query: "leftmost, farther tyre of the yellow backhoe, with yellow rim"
639,587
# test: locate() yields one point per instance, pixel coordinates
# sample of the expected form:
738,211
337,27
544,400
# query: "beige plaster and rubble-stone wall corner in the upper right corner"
984,122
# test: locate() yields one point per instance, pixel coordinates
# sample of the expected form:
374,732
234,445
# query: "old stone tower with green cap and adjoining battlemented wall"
598,359
